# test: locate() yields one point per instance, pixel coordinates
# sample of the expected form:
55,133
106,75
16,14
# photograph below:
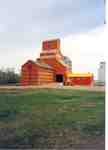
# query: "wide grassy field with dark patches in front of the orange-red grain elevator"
32,118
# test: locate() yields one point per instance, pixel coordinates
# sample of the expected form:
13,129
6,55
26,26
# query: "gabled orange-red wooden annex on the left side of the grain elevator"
34,73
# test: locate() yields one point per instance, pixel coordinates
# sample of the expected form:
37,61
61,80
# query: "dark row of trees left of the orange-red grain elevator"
8,76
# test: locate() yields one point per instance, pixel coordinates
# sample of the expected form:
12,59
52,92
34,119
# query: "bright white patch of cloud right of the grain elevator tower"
87,49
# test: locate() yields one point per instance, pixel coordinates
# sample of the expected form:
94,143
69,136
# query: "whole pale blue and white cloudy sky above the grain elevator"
24,24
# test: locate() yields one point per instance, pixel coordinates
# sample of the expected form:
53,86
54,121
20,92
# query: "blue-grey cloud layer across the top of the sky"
25,23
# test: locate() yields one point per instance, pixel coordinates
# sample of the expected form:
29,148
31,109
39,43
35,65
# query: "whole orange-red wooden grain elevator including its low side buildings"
50,67
